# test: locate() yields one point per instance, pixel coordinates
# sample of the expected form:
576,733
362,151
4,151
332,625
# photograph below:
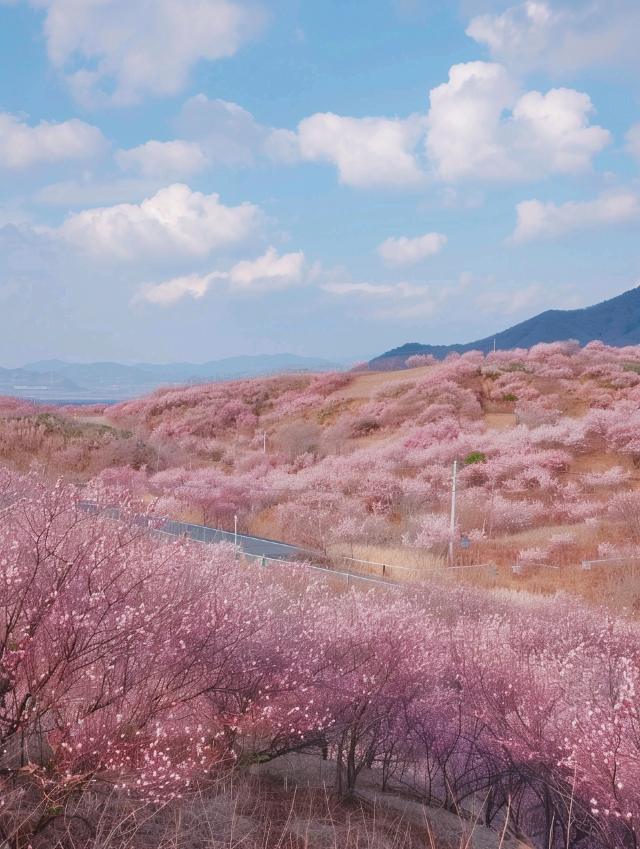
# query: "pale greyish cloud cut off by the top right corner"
561,37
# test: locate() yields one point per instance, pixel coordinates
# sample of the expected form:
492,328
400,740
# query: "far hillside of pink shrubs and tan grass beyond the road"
360,465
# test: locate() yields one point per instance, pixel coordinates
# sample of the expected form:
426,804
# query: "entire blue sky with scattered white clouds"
197,179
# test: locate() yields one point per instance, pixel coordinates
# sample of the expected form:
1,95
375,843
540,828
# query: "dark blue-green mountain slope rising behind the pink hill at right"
615,322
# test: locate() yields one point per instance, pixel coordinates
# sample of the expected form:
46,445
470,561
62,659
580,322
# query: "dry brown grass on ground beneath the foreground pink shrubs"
242,812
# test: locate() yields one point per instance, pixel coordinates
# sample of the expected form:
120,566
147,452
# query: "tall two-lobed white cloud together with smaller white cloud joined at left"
479,127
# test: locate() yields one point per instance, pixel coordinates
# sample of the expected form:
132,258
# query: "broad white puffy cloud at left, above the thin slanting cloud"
175,222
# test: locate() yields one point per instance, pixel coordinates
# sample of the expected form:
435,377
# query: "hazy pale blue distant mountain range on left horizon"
58,380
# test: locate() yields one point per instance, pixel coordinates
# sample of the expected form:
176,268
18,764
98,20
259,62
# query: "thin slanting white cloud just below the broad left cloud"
267,273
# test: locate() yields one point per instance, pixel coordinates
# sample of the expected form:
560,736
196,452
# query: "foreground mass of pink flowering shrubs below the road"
150,666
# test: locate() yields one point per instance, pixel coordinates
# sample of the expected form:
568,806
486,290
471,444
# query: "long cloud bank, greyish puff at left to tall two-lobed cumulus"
479,127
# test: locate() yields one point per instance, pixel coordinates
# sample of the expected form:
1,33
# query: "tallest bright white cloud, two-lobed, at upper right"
470,137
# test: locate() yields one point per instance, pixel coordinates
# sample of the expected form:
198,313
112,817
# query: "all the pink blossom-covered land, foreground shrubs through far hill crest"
176,687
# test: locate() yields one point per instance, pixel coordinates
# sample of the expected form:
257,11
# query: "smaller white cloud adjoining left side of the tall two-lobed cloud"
368,152
